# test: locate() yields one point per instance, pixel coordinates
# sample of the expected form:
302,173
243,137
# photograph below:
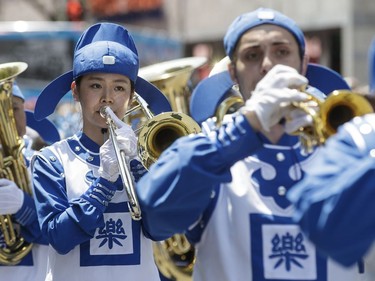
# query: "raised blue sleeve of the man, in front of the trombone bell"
178,187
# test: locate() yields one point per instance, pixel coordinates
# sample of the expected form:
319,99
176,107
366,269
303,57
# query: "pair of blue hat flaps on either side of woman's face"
52,94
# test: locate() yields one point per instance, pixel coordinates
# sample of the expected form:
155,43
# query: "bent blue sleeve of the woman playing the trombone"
67,223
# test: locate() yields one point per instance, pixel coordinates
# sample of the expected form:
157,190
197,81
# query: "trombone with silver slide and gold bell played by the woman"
154,136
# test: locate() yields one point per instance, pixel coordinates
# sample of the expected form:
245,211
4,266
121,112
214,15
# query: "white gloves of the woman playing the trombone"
127,141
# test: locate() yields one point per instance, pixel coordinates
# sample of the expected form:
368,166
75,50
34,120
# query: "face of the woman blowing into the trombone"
98,89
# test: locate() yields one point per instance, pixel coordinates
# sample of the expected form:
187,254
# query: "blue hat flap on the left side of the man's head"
208,94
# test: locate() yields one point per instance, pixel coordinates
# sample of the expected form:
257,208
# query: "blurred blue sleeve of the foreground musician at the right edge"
334,202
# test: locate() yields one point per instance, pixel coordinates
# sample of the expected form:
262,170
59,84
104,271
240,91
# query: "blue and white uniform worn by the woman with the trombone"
88,240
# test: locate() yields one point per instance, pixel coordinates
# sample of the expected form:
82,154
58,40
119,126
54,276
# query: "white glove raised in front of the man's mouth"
273,96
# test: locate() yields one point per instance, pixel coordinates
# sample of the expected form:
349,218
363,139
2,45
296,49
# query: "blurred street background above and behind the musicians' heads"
43,33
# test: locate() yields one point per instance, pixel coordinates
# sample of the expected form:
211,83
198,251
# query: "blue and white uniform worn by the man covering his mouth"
226,192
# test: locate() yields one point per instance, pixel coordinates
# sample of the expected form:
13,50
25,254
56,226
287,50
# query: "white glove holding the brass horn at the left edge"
11,197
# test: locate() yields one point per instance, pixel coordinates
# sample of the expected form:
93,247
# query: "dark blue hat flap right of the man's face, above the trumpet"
325,79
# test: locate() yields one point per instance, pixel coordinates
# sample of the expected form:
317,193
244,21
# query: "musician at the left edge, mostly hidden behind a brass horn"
20,204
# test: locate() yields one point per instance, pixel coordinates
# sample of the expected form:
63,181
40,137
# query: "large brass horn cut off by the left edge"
12,164
